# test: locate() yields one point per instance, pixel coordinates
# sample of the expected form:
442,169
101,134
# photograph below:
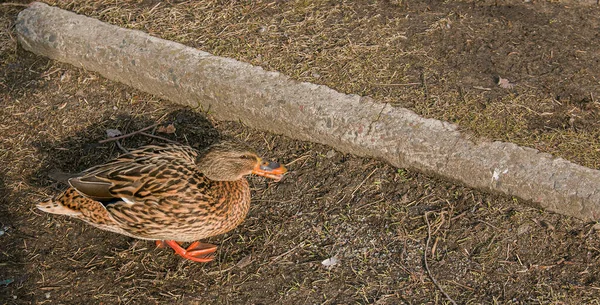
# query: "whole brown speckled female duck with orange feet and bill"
167,193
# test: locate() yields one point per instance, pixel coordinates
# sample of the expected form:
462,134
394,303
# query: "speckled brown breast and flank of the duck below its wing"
194,209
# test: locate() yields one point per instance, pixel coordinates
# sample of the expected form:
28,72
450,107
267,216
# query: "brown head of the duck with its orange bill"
230,161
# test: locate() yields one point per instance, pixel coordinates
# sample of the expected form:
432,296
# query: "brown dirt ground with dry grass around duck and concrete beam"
381,223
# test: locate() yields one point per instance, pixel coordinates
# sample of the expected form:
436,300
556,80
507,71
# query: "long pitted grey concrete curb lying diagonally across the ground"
234,90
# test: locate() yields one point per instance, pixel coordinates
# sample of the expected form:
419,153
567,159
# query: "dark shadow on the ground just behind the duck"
82,150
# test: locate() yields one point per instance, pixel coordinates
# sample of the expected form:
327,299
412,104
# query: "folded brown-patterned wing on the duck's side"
148,171
